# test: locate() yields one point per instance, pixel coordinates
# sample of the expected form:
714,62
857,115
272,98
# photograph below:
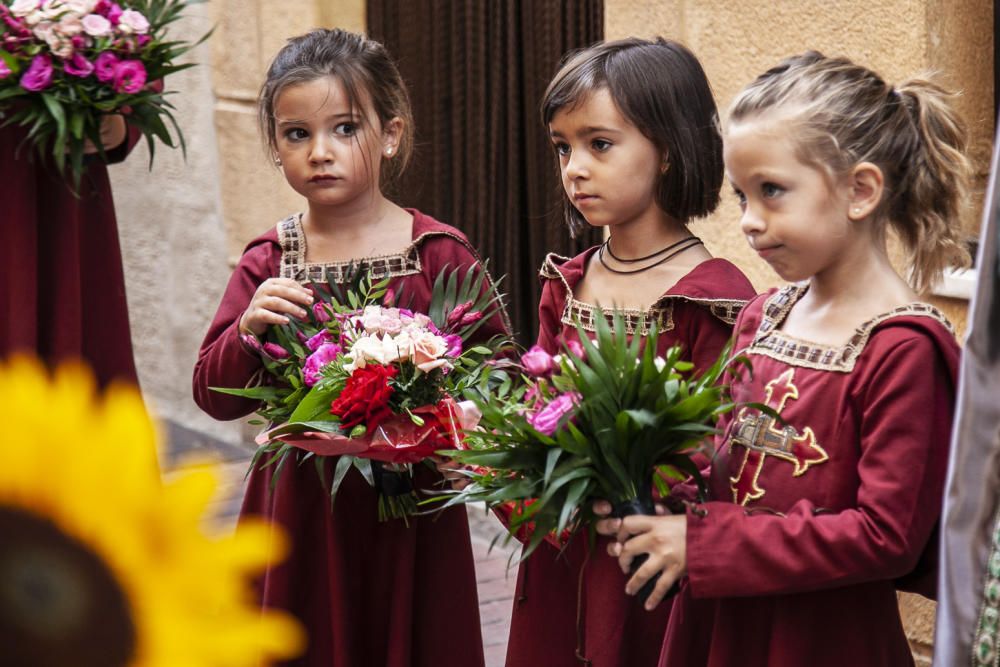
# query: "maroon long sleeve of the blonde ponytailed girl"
906,419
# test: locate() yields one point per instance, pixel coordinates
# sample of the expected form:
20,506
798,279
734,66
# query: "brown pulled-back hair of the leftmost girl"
367,73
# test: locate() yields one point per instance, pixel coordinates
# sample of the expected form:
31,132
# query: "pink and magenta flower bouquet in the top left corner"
64,64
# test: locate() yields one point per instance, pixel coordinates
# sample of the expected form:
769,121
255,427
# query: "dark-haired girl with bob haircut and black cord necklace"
635,131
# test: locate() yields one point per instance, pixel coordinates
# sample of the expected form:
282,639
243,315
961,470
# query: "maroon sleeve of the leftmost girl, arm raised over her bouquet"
224,360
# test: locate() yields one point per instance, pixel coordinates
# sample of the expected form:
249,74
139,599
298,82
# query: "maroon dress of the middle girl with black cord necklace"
571,602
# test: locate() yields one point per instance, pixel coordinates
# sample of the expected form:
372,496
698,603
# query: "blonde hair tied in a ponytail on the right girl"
841,114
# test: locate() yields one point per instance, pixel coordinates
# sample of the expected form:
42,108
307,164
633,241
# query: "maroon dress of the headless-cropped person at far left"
62,287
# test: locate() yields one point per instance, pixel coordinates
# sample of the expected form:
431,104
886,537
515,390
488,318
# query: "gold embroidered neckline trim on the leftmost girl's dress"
294,266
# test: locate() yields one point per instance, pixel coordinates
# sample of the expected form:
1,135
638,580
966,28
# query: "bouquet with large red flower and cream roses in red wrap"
375,384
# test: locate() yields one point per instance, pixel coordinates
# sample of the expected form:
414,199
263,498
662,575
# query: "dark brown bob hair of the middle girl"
661,88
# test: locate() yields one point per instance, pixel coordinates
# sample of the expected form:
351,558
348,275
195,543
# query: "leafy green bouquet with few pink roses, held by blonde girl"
607,419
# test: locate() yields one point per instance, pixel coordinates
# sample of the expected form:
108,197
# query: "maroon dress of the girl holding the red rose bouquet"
368,593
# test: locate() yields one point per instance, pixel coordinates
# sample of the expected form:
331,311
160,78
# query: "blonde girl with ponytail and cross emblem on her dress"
817,520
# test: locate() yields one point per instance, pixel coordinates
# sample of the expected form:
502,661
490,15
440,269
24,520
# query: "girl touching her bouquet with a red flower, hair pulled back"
370,593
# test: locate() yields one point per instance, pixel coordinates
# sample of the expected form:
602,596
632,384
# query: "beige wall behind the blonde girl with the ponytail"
736,41
